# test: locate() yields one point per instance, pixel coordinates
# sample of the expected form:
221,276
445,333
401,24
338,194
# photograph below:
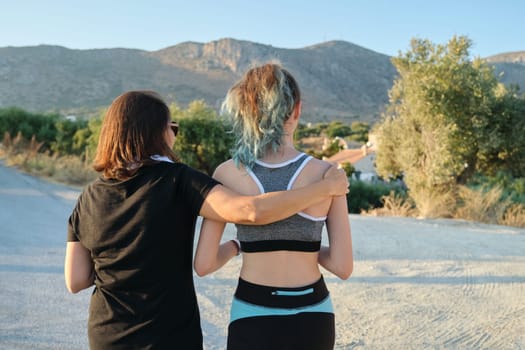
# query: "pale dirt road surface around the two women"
417,284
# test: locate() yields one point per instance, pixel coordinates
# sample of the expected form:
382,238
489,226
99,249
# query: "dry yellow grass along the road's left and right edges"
473,205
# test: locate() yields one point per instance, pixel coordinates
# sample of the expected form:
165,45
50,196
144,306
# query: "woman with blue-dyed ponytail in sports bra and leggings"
281,300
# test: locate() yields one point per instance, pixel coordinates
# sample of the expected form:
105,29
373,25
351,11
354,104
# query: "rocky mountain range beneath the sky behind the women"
339,80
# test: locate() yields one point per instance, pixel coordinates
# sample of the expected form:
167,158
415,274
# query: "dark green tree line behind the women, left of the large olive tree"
204,140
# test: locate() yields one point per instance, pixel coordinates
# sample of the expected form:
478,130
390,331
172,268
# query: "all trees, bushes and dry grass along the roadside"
450,144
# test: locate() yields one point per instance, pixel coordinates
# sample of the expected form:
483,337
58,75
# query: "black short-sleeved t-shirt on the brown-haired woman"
140,233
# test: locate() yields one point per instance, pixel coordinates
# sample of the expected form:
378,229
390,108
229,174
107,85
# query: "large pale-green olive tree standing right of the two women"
432,132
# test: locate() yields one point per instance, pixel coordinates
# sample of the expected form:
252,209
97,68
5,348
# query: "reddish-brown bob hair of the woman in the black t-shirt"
133,130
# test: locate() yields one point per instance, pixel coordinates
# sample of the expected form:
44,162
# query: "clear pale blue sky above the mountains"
384,26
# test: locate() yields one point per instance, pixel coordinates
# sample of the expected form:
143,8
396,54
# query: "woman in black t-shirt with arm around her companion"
131,232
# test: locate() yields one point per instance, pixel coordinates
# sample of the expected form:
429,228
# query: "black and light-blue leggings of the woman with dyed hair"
264,317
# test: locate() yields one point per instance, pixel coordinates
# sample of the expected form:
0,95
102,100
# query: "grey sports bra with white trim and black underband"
300,232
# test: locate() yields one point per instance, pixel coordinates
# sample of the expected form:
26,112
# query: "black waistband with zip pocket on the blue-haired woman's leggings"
285,297
